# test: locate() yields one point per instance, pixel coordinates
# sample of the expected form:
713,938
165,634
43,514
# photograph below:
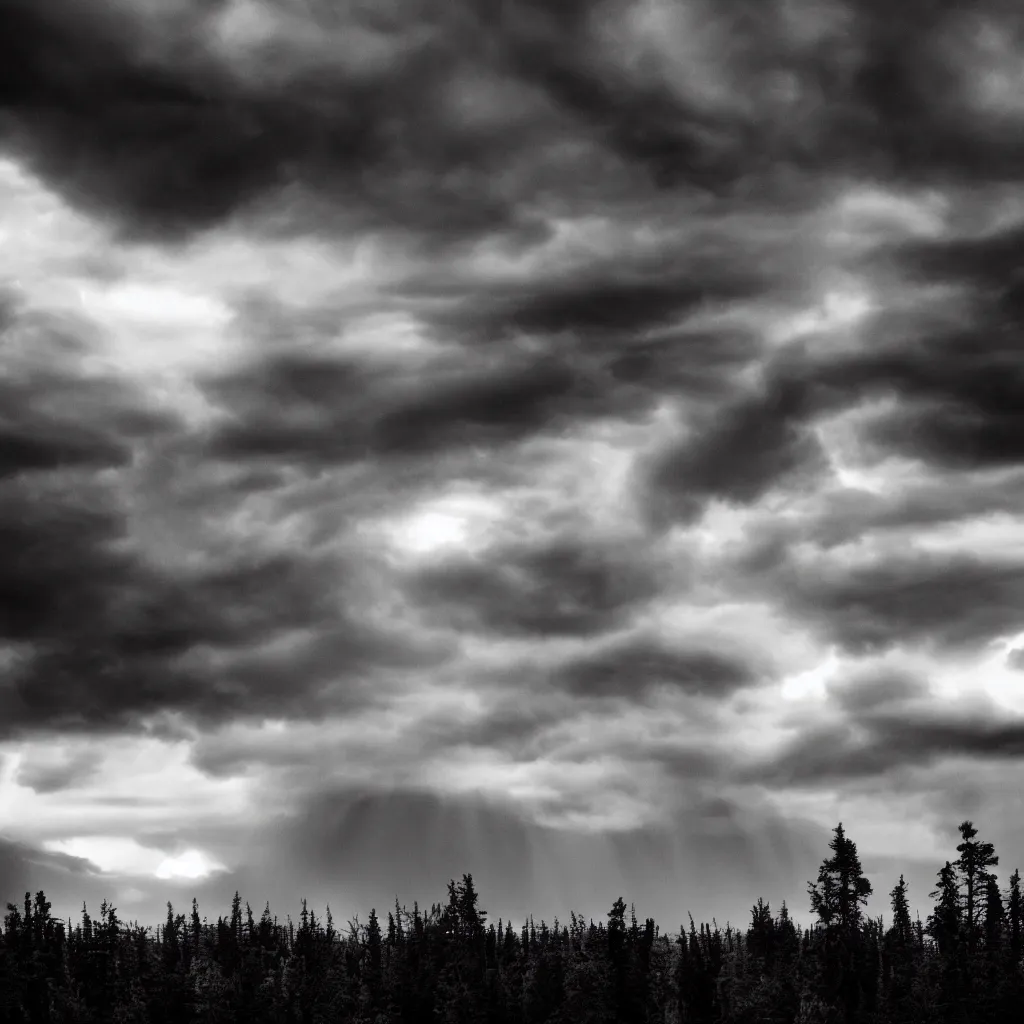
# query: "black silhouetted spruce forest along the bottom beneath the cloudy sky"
449,964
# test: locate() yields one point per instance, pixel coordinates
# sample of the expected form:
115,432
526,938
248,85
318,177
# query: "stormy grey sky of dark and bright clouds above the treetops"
576,444
